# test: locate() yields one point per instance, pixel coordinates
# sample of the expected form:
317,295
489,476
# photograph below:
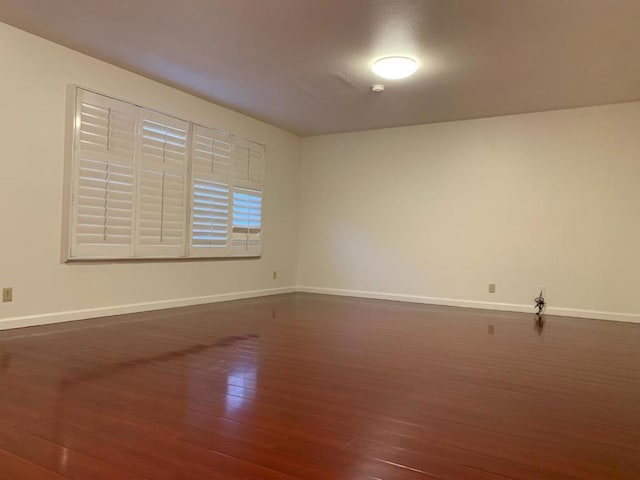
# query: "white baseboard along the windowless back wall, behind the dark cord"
453,302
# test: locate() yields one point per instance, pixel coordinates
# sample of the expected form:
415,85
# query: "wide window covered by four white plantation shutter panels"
149,185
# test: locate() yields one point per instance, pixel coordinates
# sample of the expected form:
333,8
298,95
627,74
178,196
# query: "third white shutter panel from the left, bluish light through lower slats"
210,191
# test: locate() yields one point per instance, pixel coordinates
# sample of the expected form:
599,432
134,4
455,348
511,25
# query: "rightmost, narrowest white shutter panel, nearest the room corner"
246,202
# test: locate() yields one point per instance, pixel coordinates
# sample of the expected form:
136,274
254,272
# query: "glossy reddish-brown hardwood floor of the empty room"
314,387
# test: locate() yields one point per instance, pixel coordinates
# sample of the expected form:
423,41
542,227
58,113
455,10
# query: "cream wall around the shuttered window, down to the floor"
35,75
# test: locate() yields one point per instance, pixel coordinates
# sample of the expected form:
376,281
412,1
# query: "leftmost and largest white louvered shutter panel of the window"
103,177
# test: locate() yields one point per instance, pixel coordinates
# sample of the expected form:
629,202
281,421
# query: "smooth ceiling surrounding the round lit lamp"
304,65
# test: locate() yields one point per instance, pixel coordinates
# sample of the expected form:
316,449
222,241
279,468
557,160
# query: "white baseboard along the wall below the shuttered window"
58,317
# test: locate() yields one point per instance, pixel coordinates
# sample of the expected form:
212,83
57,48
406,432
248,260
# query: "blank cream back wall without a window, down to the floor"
440,211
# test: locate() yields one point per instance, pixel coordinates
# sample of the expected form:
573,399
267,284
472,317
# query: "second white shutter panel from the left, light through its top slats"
161,205
